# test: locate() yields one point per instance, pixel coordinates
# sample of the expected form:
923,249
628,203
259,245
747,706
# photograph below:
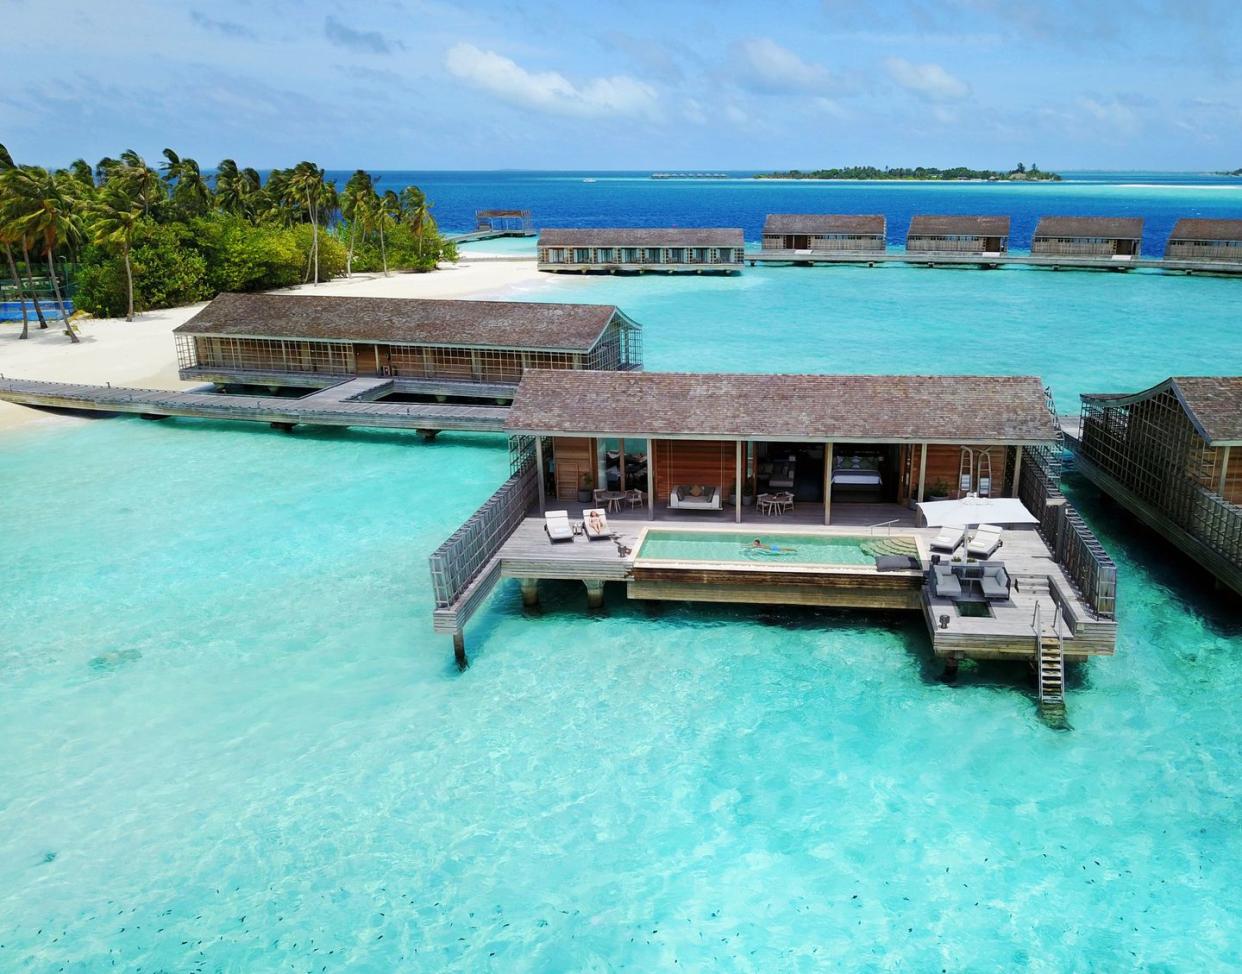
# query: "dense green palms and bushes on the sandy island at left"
143,239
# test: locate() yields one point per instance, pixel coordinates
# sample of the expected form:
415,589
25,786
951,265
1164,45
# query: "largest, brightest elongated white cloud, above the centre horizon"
551,91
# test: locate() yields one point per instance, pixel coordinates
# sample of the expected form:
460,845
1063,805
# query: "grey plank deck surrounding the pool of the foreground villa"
1007,633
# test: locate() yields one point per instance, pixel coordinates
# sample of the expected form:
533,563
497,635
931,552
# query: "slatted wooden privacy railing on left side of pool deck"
456,563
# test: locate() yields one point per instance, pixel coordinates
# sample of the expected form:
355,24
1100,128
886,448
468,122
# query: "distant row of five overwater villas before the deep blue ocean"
1059,242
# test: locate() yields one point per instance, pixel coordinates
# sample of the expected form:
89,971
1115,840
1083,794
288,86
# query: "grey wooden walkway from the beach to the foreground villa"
338,406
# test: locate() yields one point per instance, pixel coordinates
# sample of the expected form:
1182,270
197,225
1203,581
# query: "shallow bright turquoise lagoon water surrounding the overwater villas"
233,742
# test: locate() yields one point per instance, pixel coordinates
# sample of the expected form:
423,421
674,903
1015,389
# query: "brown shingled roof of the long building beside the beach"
406,321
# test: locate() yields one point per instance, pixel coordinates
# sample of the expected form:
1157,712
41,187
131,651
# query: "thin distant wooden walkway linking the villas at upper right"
994,260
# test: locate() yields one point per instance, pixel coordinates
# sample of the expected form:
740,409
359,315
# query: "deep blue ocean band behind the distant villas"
634,199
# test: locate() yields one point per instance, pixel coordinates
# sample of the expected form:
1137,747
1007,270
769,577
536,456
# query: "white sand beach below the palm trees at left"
141,353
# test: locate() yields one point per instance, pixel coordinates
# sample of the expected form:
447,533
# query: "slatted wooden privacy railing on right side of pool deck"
1074,546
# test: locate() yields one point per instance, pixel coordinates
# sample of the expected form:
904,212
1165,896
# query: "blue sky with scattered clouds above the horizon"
556,85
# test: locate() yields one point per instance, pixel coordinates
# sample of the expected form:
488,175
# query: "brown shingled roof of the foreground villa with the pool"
861,408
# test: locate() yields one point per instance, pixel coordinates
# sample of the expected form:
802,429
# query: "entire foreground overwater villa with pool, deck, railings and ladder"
912,493
